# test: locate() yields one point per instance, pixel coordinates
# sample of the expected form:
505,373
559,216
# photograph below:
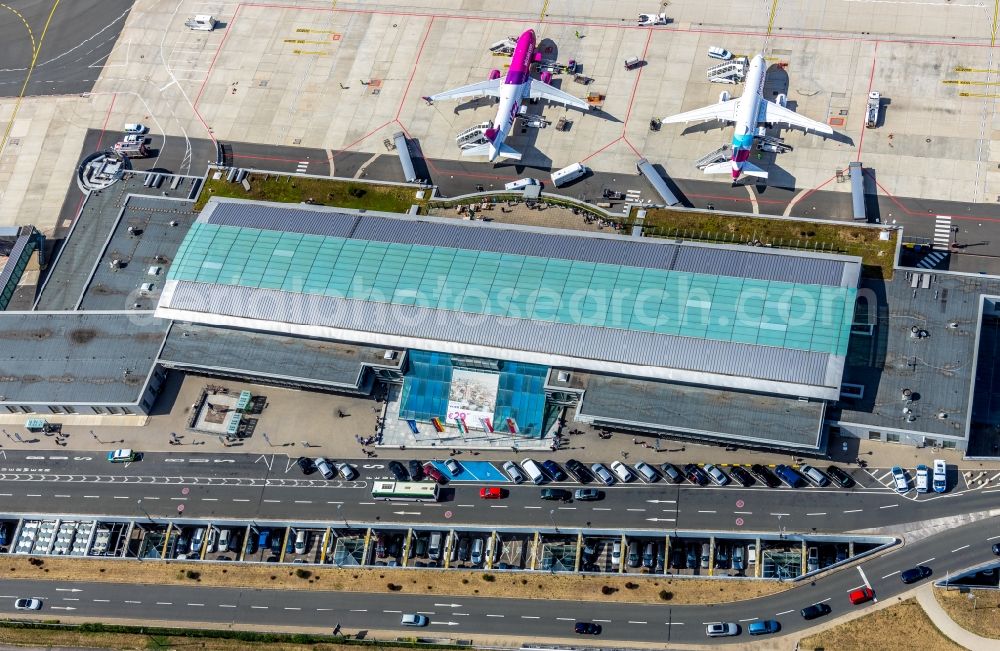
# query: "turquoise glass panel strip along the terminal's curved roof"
724,308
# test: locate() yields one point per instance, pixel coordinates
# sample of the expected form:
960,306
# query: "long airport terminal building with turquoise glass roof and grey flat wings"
500,329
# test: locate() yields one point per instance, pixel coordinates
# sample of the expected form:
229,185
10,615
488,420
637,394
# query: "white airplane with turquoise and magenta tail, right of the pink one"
747,111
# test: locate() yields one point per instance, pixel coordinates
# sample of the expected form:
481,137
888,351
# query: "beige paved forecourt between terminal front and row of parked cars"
311,423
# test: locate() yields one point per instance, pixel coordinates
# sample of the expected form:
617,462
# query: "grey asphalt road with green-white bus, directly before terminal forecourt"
271,487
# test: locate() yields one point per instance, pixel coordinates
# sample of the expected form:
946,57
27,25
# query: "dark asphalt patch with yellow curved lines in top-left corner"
77,41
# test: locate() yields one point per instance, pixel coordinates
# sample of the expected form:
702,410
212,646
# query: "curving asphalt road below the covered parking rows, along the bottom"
953,550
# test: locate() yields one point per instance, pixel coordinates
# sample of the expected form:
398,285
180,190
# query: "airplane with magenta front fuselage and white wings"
512,90
